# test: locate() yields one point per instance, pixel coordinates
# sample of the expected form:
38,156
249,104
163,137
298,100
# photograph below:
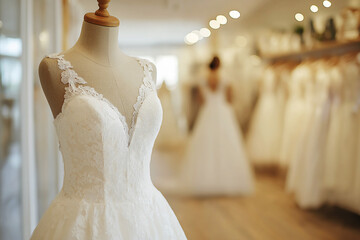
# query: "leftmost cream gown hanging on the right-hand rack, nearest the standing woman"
264,136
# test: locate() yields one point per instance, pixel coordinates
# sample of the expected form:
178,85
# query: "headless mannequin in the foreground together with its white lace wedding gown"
107,190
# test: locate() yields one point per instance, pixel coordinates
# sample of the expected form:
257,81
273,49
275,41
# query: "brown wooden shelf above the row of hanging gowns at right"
327,49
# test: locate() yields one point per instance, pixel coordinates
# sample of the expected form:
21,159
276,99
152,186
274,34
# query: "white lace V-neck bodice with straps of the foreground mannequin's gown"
104,158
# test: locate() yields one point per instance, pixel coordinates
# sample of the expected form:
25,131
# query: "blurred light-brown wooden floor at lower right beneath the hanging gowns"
270,214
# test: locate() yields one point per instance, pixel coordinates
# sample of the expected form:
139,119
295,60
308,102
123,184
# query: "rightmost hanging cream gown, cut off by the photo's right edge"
345,189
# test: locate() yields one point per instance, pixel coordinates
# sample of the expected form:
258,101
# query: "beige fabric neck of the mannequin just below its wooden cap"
99,43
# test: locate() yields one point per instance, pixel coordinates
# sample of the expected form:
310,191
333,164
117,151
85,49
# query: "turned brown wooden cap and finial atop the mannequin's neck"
101,16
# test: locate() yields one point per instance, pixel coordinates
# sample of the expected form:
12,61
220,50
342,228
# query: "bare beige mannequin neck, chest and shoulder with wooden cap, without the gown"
97,58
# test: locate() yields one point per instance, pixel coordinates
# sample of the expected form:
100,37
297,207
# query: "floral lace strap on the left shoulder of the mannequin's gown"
68,75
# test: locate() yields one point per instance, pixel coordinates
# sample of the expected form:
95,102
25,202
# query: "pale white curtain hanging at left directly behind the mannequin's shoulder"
47,30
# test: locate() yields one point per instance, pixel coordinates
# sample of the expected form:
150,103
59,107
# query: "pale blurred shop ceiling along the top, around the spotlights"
166,22
